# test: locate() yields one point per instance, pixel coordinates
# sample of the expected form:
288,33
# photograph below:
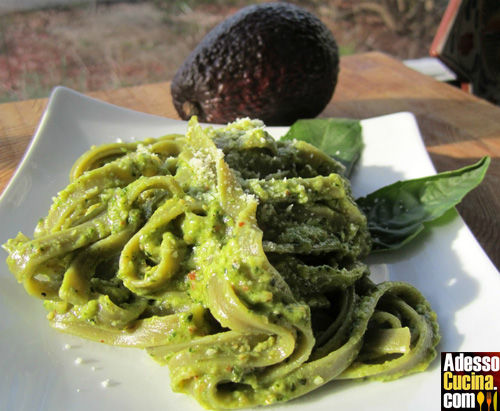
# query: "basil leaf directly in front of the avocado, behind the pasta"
338,137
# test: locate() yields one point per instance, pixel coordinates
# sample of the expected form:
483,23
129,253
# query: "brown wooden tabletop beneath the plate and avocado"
457,128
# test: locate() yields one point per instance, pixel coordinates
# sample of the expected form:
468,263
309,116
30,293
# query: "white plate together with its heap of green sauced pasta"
204,249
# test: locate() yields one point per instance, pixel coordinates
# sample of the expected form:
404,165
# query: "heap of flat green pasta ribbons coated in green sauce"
230,257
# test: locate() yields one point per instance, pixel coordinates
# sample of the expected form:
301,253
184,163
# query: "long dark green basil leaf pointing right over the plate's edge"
398,212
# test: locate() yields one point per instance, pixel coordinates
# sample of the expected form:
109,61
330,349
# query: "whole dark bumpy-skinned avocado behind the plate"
272,61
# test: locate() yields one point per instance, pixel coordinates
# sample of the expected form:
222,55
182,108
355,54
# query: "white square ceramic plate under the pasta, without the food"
41,369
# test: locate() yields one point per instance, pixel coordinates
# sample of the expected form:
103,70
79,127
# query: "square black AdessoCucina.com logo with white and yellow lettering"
469,380
